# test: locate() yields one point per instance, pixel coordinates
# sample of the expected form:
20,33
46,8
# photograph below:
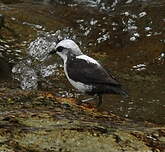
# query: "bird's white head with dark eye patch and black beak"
65,48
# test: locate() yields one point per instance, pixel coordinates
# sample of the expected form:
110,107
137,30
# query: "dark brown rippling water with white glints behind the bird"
127,37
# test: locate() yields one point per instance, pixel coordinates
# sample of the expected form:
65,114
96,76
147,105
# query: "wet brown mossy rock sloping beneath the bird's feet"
39,121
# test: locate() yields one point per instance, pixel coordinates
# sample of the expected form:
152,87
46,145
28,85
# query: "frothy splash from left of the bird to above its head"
34,67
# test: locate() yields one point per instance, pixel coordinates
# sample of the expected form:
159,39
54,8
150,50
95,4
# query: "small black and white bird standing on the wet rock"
85,73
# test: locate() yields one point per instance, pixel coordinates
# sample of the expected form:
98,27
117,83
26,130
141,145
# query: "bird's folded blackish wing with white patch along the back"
88,71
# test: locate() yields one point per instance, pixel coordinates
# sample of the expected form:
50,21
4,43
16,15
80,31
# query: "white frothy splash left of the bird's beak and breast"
28,70
